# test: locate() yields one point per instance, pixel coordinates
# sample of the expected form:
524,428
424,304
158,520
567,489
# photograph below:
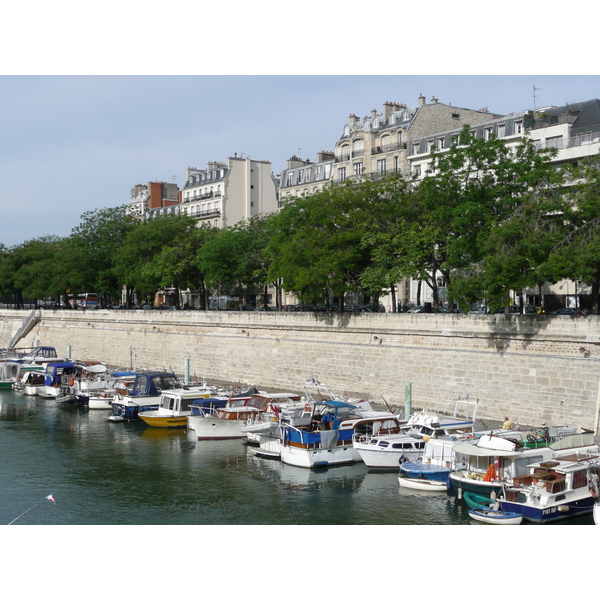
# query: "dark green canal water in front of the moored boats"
106,473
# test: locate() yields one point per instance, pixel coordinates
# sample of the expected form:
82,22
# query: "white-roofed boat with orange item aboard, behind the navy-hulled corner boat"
493,461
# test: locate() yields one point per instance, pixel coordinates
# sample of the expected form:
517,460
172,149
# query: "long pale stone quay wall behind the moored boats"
533,369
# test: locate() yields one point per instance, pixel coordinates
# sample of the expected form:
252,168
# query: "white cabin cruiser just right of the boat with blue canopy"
383,450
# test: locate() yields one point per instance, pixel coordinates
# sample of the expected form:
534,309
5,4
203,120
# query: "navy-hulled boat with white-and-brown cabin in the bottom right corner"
553,490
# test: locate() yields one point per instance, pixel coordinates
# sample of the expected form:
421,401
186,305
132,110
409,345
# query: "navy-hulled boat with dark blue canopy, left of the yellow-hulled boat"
144,393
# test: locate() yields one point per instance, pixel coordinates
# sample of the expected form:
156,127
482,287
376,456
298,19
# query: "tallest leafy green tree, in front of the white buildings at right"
469,210
